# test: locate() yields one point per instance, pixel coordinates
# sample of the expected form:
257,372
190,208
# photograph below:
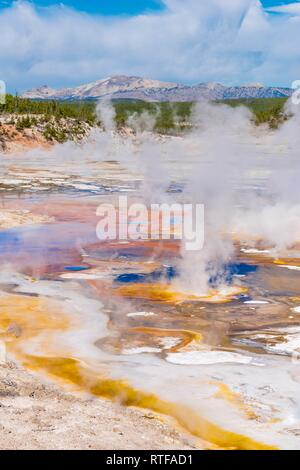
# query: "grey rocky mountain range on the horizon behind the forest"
136,88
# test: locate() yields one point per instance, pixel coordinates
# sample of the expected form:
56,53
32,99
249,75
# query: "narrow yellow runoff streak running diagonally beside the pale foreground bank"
121,392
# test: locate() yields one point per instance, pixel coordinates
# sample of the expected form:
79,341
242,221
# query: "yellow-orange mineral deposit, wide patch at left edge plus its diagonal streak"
38,317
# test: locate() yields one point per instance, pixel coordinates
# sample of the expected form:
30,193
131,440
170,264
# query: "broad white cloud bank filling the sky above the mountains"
230,41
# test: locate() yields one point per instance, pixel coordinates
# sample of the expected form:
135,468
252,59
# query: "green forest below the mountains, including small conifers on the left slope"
168,118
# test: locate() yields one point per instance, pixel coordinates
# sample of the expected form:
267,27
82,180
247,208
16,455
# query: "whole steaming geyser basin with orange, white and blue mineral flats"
78,326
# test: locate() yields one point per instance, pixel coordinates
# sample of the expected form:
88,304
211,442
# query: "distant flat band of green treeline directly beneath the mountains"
168,117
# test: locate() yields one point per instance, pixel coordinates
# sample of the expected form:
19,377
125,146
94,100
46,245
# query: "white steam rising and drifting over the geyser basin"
246,177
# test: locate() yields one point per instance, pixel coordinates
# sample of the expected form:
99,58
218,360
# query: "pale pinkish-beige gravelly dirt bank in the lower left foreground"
38,415
